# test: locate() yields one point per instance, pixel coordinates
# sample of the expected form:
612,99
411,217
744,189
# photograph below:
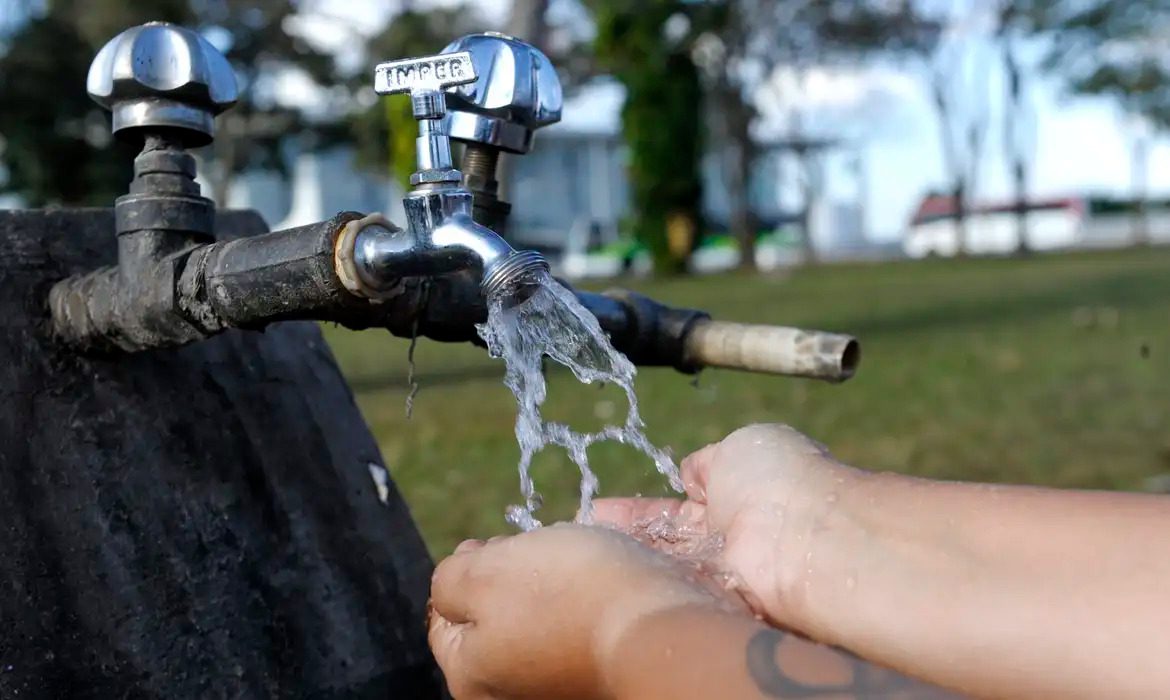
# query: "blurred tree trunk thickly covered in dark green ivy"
646,47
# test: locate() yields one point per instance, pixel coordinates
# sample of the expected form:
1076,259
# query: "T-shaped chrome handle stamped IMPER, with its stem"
425,79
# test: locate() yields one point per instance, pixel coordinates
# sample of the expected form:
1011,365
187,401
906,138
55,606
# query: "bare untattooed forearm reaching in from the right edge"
996,591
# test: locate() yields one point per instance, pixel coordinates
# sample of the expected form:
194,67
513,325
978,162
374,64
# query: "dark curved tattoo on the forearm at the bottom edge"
865,680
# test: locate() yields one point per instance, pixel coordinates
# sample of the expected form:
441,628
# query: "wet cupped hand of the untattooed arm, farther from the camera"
768,491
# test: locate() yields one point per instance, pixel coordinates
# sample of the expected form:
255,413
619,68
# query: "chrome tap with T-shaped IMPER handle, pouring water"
441,235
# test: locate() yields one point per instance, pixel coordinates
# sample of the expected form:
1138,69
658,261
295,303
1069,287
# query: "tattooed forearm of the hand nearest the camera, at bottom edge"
700,654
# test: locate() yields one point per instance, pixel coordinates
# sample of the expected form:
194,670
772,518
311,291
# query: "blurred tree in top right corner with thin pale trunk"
1117,49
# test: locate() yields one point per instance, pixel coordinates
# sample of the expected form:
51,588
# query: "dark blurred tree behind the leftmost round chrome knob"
58,141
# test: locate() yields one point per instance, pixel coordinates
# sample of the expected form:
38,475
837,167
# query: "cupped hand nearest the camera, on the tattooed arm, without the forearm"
539,615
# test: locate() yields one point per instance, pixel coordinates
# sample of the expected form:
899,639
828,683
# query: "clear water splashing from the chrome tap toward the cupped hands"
553,324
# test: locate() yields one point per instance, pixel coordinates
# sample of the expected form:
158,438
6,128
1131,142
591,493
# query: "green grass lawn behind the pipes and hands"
1050,370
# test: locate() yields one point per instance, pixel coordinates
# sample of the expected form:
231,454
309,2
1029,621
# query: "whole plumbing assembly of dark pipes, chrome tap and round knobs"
175,284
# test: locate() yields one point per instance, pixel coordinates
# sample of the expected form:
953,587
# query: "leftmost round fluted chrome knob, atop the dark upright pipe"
163,77
